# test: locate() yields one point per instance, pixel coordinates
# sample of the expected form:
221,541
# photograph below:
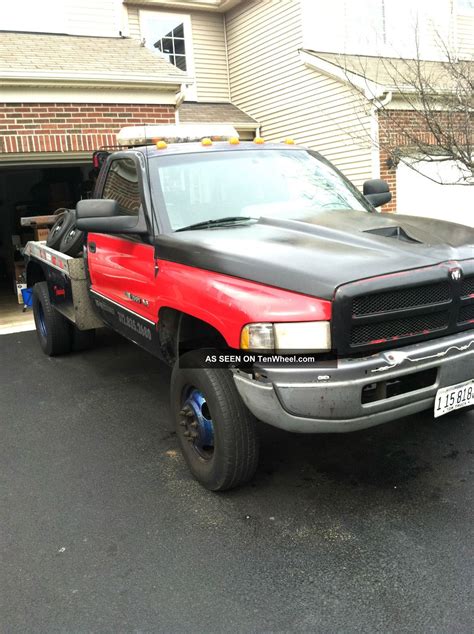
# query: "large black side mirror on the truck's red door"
103,216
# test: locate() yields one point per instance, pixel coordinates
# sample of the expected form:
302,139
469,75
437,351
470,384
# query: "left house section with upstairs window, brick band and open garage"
74,72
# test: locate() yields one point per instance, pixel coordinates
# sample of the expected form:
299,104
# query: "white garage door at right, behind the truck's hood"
419,196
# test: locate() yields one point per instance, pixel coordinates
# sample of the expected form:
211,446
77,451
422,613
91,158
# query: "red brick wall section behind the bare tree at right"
392,139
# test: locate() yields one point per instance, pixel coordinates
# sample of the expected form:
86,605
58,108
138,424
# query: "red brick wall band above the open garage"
69,127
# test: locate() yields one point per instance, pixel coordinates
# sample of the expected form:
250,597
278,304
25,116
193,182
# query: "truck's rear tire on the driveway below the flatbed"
53,330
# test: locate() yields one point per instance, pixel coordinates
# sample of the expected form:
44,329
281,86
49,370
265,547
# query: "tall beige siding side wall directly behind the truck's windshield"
270,82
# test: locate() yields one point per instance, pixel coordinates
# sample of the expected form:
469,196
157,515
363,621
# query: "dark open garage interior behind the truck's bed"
31,189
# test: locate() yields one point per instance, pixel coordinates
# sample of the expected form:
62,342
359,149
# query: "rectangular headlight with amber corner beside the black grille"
307,336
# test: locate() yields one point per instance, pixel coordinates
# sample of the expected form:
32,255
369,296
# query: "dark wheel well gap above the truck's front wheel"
179,333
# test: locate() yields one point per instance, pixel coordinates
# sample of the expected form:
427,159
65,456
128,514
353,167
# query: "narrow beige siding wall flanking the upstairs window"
209,52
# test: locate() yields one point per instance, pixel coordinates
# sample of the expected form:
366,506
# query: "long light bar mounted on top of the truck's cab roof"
151,134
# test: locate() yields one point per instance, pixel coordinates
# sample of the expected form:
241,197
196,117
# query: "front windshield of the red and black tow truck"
289,184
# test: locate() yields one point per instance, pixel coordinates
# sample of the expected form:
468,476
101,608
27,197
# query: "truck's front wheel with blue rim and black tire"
217,433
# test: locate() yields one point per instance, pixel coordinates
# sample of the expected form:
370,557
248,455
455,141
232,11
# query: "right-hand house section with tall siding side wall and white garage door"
295,66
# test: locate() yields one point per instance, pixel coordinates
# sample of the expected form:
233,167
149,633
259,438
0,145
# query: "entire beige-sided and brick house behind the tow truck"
73,72
